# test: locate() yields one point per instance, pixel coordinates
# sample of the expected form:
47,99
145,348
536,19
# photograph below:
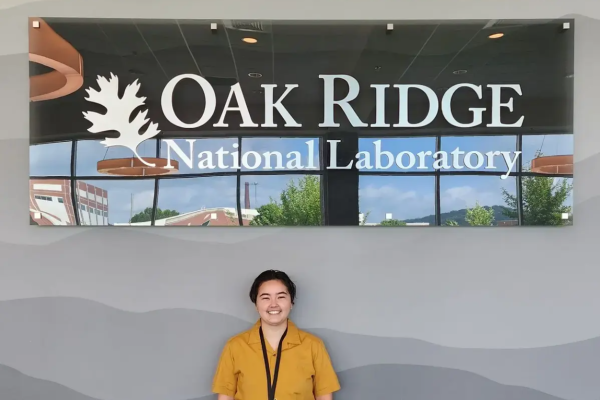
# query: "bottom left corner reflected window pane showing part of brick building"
50,202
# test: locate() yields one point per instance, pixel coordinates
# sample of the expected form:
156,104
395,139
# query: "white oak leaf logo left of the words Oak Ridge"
118,114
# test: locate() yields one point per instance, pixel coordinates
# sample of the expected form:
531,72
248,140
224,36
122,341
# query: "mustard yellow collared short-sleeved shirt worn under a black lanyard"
305,369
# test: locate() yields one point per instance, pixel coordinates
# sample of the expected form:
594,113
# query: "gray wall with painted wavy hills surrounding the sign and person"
141,314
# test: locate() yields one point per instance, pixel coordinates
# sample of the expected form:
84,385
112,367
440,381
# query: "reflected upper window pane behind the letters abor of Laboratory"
397,154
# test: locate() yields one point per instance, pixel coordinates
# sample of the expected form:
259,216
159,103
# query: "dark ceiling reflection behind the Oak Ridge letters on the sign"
538,56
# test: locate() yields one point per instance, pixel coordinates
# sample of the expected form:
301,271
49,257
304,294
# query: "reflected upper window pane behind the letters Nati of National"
201,156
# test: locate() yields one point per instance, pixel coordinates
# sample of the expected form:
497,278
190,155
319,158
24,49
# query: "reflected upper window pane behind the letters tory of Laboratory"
480,153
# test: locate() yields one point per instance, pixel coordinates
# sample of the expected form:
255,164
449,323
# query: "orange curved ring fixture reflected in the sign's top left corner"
48,48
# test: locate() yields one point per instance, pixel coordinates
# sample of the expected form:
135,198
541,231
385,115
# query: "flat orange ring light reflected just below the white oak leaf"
134,167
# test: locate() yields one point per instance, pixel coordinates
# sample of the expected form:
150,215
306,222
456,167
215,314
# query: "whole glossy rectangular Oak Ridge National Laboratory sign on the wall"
373,123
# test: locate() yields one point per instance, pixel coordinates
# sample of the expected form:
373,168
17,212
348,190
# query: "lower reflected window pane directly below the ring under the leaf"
111,202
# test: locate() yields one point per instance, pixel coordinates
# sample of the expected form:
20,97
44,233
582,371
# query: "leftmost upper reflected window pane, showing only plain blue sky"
51,159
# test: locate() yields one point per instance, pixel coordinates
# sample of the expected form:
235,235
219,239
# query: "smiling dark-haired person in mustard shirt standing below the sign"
274,360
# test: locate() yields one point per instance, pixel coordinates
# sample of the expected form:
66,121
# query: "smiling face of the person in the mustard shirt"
273,302
